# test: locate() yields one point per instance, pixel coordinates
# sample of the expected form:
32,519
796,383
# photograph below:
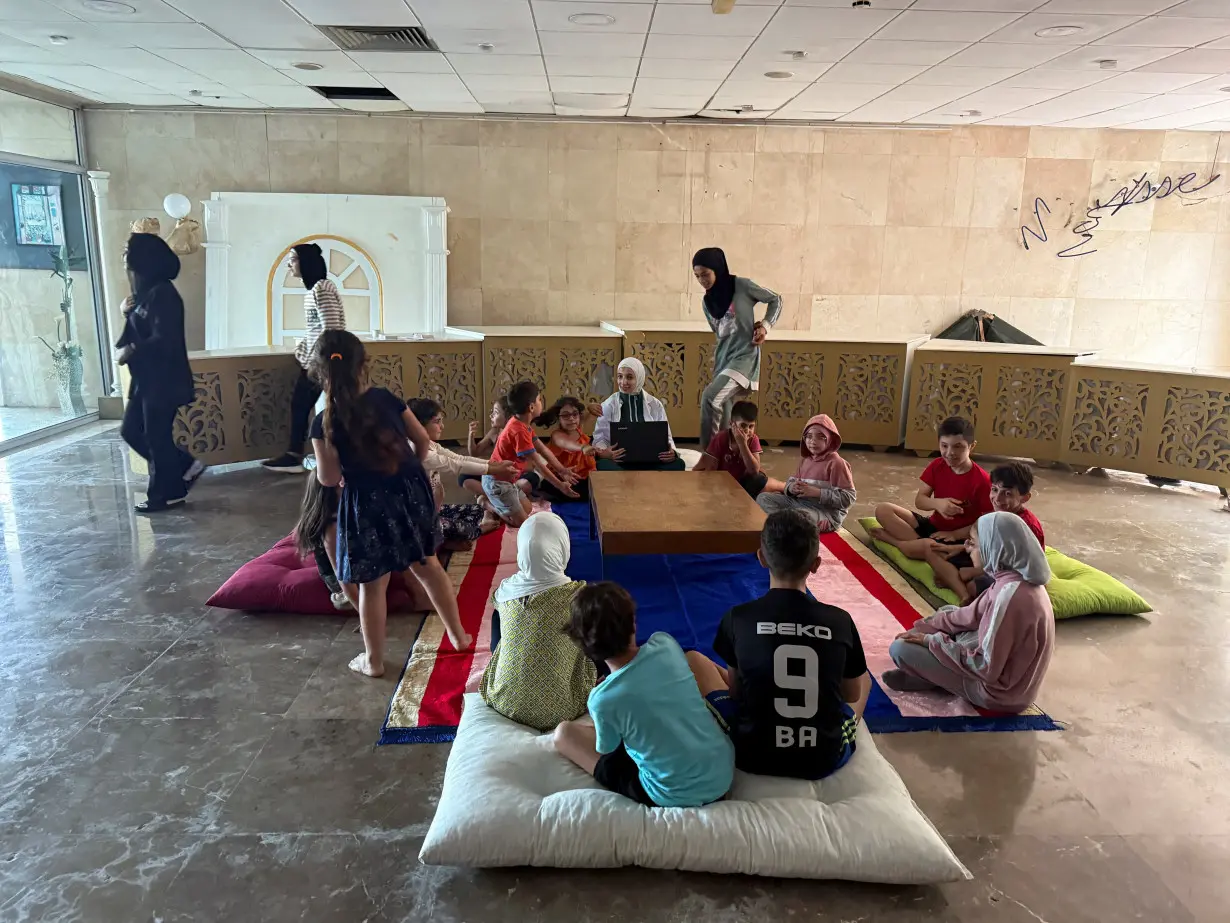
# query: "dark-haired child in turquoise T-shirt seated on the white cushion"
654,738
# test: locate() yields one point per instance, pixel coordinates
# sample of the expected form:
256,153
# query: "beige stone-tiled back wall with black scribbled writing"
862,232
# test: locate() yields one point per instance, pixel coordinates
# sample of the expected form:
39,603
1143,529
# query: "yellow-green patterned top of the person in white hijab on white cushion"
537,676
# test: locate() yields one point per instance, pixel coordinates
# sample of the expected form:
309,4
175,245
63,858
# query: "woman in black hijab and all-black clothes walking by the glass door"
154,350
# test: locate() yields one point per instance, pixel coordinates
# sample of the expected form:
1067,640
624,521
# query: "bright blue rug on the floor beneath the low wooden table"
688,595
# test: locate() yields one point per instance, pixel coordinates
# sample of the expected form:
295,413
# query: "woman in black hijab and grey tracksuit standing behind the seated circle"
730,310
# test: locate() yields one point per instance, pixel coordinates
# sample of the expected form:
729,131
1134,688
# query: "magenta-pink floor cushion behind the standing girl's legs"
282,581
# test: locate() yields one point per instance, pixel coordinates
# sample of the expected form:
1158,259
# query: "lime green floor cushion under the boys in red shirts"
1076,589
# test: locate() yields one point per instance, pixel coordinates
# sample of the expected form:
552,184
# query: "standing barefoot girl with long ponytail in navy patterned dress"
387,519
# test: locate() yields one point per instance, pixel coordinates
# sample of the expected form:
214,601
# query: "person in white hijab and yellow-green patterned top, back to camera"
537,675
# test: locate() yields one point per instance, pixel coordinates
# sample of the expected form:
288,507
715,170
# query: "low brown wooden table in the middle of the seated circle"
673,514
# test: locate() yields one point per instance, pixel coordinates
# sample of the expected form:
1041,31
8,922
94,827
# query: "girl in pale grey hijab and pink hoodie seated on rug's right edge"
994,652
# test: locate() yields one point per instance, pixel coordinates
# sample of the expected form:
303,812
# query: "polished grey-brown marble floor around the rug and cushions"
162,761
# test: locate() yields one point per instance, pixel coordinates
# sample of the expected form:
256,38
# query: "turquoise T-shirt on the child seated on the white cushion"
653,707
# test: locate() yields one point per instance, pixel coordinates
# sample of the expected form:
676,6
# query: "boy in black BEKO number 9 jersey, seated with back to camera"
798,680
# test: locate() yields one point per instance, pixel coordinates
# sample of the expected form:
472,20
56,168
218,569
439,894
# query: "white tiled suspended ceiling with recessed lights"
1076,63
